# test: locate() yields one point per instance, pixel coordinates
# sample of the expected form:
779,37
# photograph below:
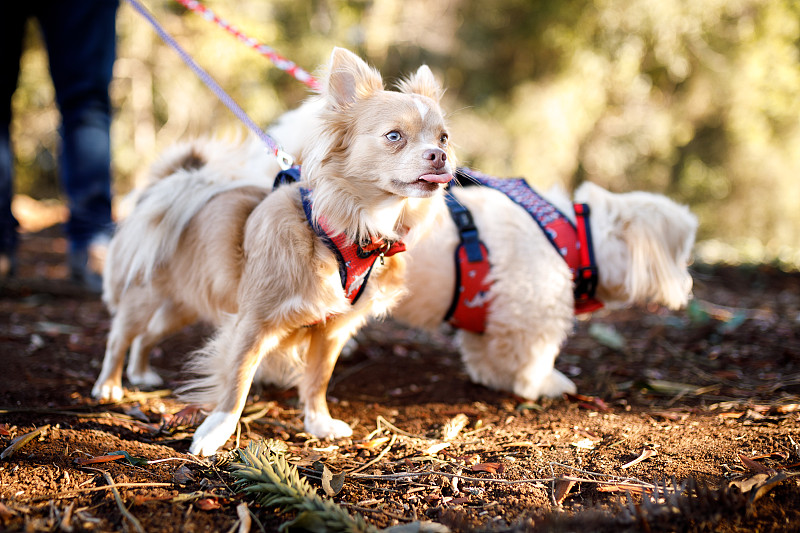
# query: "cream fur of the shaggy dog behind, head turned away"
642,244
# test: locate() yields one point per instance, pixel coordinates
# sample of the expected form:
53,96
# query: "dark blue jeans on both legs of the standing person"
80,36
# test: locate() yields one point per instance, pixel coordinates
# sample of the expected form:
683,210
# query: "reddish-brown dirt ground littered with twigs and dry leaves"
707,400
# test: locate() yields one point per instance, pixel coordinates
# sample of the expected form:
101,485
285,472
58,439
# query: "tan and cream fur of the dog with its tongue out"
203,243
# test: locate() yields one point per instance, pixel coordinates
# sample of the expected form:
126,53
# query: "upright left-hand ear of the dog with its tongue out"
350,78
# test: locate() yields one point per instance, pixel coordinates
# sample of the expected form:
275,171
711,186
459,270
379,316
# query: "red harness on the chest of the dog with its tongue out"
355,260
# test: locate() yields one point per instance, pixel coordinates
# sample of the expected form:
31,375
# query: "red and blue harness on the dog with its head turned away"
573,242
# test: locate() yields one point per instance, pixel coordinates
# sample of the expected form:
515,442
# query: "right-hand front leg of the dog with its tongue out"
323,351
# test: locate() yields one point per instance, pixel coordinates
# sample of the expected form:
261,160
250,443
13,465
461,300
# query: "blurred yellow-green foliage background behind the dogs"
697,99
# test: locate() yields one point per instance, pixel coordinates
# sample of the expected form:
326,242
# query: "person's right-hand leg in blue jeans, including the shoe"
81,41
